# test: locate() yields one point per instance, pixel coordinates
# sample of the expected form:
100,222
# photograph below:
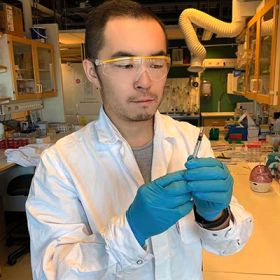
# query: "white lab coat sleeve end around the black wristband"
231,239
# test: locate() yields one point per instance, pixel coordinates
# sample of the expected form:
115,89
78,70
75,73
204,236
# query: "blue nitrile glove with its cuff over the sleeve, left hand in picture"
158,205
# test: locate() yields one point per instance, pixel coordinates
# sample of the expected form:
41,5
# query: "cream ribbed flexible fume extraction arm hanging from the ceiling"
240,10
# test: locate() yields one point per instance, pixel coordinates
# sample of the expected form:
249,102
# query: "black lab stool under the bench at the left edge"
18,234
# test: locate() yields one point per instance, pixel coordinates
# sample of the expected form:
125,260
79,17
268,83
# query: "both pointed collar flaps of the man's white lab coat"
107,133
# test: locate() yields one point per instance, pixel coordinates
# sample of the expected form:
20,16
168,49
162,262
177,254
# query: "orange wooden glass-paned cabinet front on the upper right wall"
262,40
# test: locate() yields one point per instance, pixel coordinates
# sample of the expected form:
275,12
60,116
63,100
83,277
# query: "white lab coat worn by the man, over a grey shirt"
78,199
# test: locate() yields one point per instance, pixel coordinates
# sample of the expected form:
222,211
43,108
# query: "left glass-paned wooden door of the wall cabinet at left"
23,69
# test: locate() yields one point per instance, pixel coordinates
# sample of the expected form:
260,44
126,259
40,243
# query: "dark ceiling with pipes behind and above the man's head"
72,14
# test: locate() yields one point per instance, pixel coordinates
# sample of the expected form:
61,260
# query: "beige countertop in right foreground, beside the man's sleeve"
260,258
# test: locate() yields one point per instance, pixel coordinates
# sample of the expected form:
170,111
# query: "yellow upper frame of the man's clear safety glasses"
99,62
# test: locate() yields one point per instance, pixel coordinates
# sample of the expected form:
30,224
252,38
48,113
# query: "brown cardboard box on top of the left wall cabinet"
11,20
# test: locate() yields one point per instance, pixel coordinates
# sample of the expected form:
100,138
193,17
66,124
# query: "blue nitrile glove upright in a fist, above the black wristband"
211,185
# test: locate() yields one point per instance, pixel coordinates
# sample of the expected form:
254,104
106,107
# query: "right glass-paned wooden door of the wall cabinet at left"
45,71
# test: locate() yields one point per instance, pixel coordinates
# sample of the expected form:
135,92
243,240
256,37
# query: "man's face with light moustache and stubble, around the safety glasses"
126,97
